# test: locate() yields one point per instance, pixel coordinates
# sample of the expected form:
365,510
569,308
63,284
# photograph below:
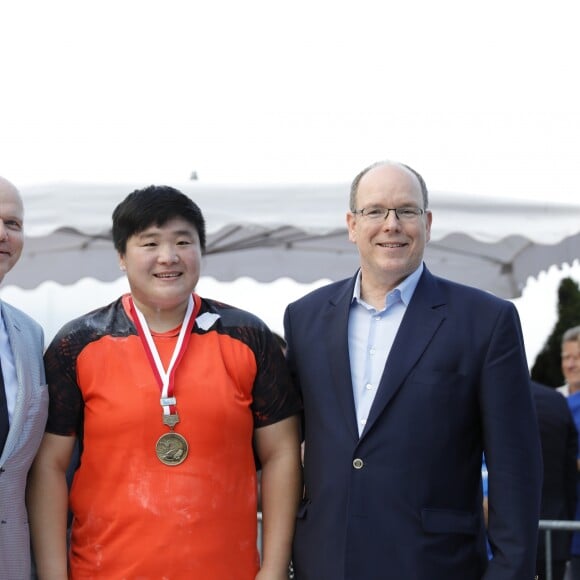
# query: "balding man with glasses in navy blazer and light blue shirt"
407,379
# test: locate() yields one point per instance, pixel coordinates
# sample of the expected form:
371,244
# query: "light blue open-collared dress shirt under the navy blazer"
371,334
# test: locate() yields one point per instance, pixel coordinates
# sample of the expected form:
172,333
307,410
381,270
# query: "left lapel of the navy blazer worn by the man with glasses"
335,319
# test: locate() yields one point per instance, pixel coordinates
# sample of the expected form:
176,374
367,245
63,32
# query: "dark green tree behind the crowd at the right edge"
547,367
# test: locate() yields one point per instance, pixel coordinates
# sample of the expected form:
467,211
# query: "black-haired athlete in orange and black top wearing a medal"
166,486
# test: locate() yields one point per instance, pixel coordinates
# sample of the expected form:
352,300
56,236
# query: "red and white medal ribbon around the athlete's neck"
166,378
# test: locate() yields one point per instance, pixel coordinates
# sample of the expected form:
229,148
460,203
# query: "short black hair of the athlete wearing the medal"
154,205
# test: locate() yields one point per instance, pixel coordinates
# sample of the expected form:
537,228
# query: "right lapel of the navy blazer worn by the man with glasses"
419,324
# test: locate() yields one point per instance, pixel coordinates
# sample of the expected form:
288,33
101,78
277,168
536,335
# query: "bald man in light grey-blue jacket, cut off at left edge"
23,398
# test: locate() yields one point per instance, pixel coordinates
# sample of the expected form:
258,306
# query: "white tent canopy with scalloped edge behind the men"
267,232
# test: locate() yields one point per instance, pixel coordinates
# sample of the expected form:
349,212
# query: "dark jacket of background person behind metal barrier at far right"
559,451
